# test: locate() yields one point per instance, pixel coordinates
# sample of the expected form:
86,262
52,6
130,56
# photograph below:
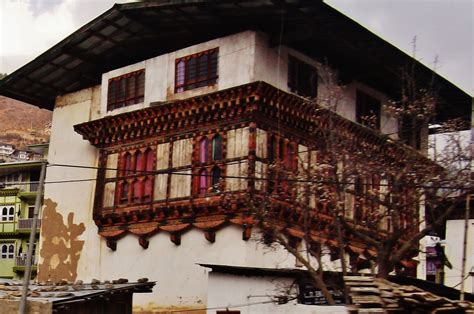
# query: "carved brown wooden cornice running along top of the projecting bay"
256,101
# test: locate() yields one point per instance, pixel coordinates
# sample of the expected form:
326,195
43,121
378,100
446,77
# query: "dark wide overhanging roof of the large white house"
132,32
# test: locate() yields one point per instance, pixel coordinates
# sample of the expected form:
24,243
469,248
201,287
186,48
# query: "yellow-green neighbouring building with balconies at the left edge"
18,190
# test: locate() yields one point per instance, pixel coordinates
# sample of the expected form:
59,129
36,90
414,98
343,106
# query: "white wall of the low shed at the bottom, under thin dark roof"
252,294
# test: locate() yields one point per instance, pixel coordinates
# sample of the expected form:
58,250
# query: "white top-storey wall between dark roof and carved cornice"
244,57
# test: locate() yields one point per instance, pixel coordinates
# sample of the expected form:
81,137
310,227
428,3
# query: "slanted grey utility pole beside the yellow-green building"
38,201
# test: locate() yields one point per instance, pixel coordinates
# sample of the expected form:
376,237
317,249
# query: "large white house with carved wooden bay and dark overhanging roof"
167,117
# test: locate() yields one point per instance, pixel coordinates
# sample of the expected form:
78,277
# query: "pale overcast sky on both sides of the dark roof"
443,29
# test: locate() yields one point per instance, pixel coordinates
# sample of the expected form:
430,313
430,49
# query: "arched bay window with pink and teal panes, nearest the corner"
210,158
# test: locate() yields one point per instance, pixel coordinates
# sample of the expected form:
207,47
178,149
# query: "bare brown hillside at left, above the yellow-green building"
22,124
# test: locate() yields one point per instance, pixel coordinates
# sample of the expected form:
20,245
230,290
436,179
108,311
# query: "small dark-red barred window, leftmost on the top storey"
126,90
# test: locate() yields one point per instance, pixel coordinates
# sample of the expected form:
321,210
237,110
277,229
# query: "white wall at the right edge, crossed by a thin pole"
453,250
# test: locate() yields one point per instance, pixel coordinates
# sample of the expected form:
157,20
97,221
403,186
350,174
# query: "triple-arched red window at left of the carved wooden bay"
136,184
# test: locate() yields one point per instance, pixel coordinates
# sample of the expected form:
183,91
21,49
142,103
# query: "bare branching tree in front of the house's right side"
360,193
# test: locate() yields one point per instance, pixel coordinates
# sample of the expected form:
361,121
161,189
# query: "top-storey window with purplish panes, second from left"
196,70
